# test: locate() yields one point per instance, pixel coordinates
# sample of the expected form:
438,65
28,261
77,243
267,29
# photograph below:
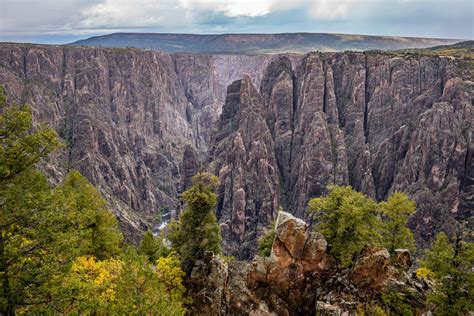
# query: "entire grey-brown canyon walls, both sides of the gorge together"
138,124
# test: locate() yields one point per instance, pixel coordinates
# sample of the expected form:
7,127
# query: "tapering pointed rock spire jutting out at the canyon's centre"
243,155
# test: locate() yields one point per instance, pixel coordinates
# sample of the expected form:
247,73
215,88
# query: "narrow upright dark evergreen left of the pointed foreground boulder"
197,230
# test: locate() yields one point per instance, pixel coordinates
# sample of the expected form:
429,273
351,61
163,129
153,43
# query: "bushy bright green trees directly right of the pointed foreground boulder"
350,220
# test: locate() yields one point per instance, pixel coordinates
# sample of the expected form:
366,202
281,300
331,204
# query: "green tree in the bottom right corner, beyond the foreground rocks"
451,263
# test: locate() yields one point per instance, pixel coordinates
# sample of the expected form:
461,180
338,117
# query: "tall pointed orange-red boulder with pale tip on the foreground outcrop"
296,263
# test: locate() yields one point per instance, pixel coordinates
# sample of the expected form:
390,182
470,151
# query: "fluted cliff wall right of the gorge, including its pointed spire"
379,123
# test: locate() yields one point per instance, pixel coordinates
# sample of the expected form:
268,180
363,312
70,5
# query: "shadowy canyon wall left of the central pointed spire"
135,123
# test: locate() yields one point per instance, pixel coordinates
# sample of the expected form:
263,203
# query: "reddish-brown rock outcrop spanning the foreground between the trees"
300,278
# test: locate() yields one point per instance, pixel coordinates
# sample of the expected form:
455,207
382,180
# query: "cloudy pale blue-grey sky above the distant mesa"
62,21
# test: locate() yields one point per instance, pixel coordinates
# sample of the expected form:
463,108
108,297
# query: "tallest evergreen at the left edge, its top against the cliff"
24,196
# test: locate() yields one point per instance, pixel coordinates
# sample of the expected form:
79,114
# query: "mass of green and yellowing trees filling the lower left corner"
61,251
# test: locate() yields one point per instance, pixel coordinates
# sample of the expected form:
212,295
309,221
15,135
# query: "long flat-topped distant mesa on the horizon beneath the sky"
260,43
